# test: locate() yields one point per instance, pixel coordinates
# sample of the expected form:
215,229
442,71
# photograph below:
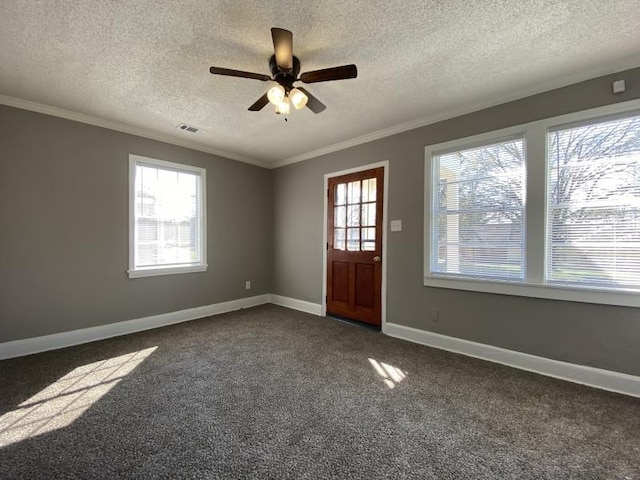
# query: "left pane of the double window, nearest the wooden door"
478,211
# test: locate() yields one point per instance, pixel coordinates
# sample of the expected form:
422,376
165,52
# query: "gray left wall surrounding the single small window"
64,228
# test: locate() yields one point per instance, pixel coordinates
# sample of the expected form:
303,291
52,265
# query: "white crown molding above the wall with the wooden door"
626,64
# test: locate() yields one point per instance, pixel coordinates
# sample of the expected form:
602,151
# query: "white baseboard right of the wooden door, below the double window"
584,375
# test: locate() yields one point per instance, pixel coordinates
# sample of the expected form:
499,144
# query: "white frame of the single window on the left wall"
152,271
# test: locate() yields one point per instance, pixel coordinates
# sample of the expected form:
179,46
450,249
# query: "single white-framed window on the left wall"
167,218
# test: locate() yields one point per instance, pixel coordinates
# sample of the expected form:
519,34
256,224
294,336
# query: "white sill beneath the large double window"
625,298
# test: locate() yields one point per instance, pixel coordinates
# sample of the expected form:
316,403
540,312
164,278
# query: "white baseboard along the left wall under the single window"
28,346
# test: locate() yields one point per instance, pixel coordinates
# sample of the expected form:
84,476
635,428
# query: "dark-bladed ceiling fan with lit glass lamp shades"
285,68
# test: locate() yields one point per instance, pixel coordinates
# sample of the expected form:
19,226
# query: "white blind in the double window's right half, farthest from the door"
593,204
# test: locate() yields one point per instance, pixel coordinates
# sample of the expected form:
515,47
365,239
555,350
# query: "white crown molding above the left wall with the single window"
121,127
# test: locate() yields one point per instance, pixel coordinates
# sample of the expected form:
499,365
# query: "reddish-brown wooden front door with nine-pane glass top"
354,247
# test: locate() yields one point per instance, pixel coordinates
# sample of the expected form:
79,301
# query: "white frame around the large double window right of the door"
535,134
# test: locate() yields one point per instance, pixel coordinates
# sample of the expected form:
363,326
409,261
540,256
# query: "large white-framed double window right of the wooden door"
549,209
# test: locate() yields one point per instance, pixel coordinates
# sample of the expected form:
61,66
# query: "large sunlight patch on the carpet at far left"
65,400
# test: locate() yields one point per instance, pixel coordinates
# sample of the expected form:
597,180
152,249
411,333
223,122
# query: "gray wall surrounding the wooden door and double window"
596,335
